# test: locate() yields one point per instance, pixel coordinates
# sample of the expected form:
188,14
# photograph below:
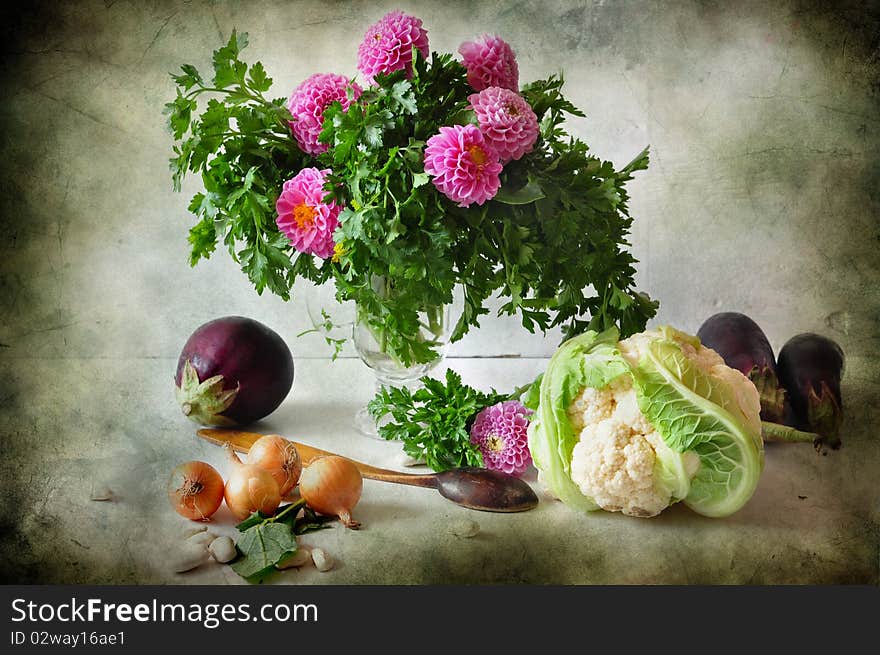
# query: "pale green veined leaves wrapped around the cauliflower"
694,412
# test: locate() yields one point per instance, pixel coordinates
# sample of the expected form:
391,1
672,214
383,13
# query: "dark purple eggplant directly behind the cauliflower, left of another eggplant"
743,345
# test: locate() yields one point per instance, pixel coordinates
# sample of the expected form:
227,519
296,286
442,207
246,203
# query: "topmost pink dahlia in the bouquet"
387,45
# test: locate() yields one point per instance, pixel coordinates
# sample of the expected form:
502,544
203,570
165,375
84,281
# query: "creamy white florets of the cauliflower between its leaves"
613,463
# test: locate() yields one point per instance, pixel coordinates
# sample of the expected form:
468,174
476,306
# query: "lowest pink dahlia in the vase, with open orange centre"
303,215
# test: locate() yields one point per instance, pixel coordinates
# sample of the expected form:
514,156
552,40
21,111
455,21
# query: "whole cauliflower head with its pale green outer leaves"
636,425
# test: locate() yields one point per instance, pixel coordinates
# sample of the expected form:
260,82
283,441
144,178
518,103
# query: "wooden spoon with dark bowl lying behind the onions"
471,487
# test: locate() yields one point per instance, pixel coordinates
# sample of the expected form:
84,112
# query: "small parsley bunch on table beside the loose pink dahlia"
434,422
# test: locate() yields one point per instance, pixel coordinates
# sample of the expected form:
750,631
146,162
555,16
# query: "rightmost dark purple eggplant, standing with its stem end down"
810,368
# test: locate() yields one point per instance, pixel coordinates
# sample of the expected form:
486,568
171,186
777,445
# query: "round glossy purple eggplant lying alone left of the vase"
233,371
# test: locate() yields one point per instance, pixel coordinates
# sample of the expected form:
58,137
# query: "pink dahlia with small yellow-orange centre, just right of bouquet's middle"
465,166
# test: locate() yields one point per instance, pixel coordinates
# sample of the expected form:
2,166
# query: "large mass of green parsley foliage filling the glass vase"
551,244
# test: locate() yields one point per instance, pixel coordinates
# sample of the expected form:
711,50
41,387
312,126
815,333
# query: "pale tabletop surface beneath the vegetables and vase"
813,519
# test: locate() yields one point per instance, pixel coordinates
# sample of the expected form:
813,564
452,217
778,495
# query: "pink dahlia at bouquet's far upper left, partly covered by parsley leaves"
308,102
